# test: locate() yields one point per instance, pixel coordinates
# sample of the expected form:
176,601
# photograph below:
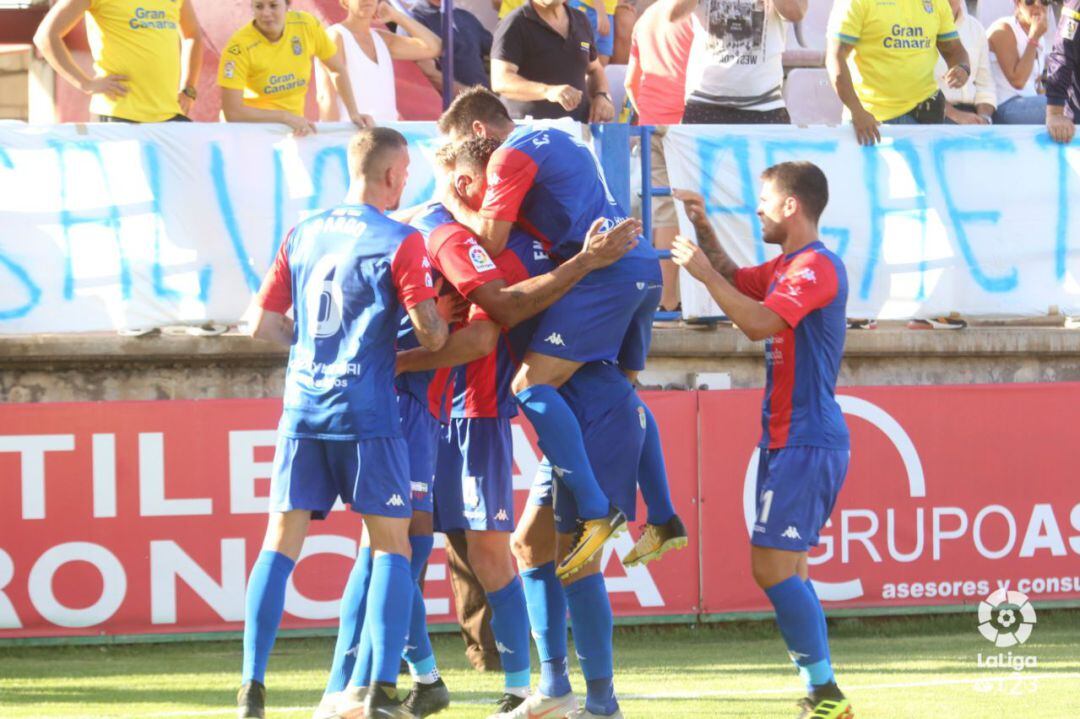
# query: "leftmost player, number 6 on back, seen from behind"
347,274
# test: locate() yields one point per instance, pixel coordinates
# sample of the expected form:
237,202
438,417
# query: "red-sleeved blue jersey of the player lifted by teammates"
551,184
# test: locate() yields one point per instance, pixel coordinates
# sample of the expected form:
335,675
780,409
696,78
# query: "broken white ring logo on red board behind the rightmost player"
913,466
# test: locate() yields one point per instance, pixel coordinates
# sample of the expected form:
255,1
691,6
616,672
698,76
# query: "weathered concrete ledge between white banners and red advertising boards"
87,369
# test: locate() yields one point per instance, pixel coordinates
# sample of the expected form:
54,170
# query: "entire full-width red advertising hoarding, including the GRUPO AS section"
145,518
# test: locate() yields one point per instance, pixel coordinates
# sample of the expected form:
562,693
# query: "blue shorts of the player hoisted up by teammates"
609,316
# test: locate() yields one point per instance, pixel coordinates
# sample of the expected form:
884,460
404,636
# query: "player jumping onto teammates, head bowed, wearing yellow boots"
551,185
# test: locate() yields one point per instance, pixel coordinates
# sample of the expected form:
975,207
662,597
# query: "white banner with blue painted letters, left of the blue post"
114,227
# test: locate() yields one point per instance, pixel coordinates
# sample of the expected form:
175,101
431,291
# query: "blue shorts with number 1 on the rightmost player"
796,492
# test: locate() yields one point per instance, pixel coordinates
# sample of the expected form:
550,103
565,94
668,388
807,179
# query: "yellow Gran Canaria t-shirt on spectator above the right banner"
896,50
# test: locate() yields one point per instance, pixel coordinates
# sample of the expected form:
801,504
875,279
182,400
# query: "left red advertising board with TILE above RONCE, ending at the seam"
146,518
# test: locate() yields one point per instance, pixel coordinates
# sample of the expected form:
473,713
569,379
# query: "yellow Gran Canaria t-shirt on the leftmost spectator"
140,39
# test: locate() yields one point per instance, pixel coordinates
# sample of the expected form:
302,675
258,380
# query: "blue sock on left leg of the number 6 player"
263,609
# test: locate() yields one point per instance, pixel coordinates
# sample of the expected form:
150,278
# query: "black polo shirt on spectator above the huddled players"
543,56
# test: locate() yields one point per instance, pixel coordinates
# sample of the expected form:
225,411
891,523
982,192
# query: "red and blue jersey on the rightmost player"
809,291
